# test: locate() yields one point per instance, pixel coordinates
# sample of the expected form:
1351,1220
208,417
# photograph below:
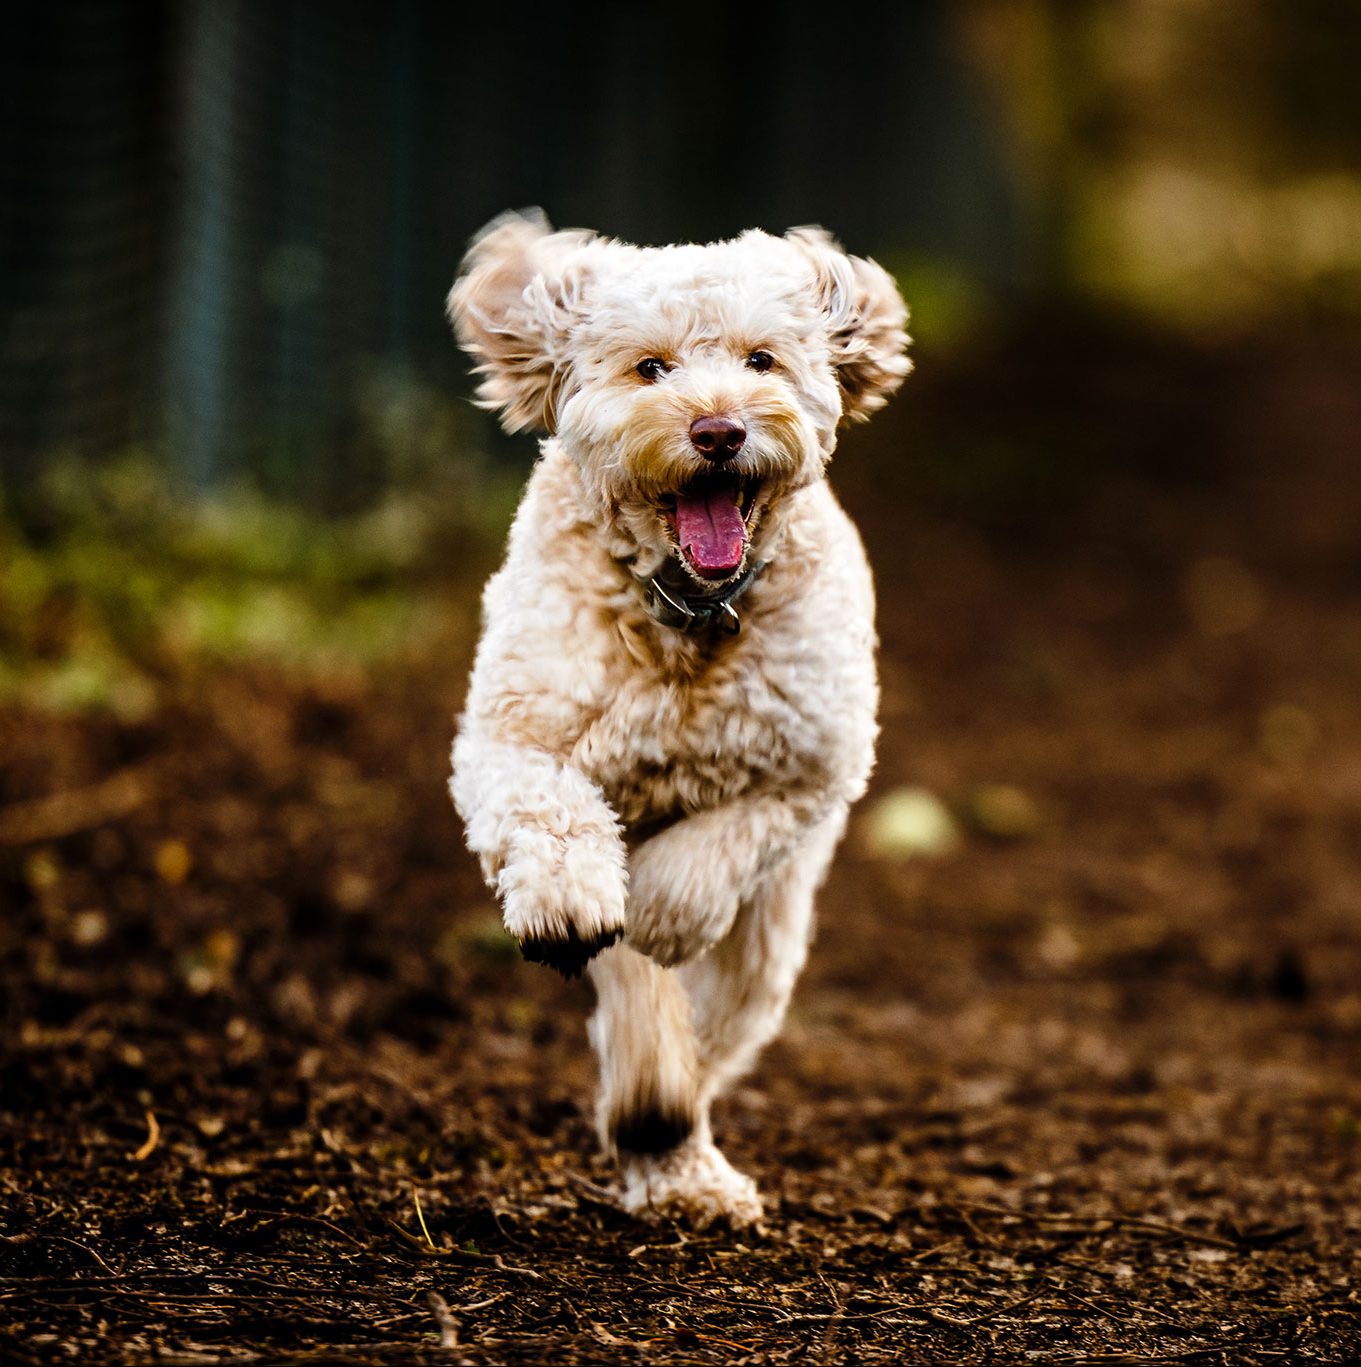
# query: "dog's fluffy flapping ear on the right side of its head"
866,319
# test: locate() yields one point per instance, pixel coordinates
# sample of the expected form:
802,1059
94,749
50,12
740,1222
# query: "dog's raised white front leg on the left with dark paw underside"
550,845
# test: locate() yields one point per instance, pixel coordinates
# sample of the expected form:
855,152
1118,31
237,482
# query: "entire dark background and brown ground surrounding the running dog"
1075,1068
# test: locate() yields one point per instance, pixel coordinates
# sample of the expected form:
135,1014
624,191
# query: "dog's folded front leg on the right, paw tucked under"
688,884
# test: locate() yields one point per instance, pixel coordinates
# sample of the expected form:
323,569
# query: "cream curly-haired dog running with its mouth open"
673,706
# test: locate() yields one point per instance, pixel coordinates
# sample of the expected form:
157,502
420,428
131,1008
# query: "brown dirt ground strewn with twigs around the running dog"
1086,1090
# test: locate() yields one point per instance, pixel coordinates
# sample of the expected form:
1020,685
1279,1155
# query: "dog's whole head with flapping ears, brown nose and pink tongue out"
695,386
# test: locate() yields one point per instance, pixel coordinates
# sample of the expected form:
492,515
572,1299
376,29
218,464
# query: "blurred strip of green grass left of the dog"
114,583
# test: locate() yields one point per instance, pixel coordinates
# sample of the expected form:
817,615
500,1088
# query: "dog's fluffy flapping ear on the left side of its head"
516,299
